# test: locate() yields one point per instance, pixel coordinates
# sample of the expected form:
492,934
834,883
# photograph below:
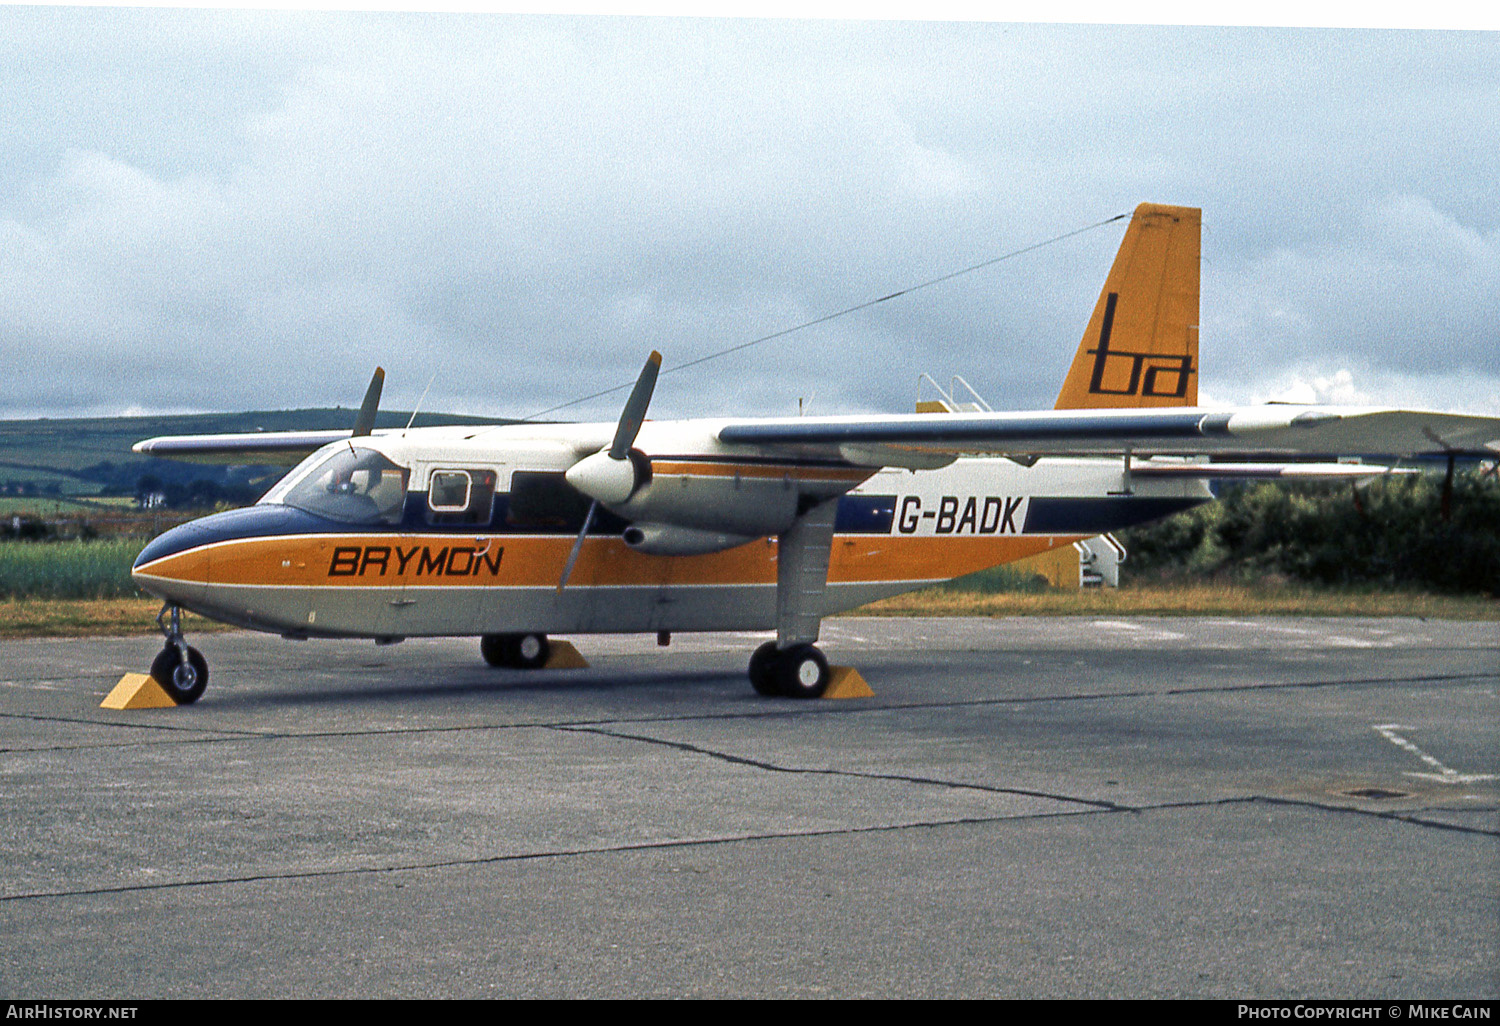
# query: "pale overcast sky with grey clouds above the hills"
230,211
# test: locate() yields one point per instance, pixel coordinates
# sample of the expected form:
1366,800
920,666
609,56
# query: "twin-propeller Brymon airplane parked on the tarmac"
521,532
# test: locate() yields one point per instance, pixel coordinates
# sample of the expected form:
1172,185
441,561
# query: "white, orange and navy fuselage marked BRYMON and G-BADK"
476,532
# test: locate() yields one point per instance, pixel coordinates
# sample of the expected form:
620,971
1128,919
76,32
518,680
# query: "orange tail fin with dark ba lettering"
1142,343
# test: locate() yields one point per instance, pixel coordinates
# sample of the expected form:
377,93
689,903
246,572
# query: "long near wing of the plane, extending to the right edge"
1273,431
